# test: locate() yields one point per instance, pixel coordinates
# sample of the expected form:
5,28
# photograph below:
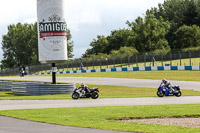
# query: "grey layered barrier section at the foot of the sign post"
40,88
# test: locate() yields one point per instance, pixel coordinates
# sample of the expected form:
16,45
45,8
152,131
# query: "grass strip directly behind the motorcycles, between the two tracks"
106,91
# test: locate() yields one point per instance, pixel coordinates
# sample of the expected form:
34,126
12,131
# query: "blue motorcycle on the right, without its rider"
164,91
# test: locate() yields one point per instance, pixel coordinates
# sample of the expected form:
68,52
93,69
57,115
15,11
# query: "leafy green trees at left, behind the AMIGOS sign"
20,45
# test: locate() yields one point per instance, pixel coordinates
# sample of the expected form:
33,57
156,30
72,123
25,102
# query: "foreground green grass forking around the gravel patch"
96,117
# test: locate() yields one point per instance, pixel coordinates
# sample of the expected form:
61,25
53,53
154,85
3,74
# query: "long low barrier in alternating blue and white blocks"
156,68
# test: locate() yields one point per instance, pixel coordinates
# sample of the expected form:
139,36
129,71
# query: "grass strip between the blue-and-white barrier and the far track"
159,75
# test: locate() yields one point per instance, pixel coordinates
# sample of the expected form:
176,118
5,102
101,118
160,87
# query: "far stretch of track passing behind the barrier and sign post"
146,83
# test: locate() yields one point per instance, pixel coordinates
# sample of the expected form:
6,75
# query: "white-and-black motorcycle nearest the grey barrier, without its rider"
93,93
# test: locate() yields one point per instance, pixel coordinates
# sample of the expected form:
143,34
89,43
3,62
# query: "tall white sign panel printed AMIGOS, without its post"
52,31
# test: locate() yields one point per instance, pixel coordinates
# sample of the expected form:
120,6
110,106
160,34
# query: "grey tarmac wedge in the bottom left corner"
11,125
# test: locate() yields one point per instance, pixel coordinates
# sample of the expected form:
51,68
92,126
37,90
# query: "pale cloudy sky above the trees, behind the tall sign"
85,18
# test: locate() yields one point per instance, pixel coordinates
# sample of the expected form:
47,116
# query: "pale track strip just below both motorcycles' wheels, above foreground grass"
35,104
